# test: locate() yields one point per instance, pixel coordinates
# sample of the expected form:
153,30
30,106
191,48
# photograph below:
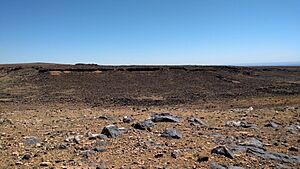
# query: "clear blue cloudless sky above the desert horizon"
150,31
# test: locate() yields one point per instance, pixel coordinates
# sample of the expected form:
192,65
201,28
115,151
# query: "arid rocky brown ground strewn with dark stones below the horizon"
90,116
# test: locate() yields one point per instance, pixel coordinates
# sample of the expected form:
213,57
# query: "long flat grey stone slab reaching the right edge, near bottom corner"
273,156
